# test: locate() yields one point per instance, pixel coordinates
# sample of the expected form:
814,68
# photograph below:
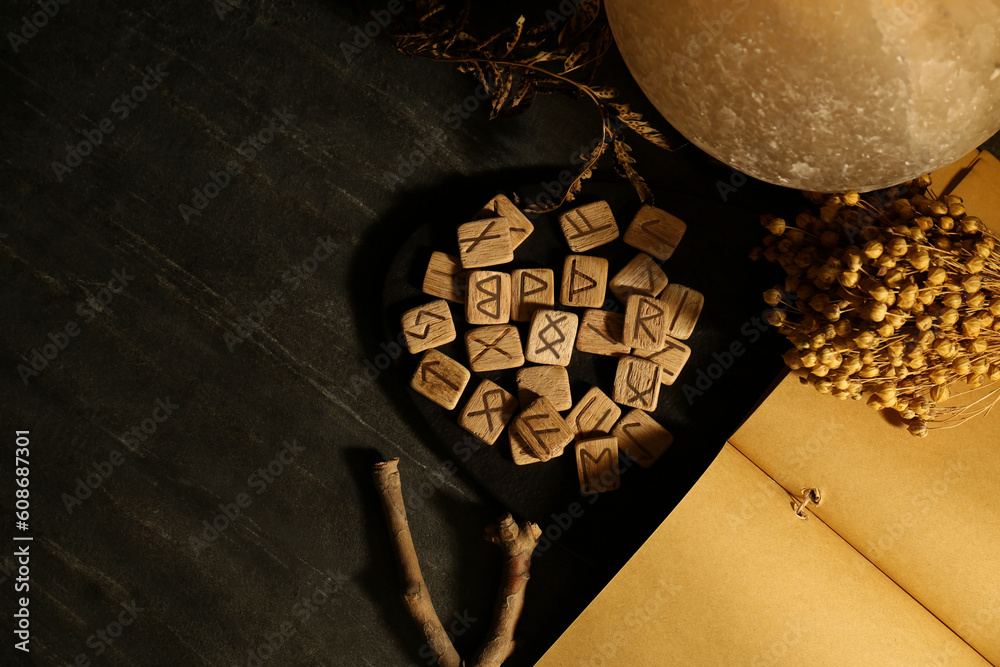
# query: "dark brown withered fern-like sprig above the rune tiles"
521,62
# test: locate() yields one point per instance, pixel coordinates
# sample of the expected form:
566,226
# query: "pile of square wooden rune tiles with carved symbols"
646,339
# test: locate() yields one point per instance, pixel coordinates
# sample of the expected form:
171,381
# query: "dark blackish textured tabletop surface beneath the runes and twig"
300,377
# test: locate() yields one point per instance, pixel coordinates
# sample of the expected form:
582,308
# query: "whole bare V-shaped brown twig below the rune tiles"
518,542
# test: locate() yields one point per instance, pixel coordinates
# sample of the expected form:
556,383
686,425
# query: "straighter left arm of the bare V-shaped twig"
415,594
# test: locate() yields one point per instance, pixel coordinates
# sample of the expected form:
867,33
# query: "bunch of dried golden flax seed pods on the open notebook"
893,297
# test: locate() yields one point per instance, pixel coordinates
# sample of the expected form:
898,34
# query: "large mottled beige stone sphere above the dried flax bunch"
823,95
